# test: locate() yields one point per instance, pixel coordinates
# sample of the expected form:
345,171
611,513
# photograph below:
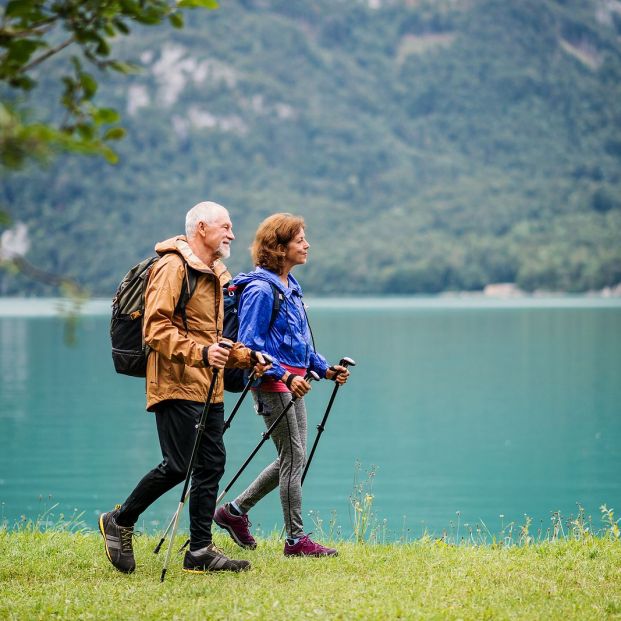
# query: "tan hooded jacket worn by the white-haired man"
175,367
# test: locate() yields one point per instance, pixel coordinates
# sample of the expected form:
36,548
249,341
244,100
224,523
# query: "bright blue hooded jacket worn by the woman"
289,339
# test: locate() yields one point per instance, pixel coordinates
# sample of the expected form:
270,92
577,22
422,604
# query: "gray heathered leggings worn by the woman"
290,440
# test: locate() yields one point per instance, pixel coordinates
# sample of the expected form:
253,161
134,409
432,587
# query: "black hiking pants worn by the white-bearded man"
176,428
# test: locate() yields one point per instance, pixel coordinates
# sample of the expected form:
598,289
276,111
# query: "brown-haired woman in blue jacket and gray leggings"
279,245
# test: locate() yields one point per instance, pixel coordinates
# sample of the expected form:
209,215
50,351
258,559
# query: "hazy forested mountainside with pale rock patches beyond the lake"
430,145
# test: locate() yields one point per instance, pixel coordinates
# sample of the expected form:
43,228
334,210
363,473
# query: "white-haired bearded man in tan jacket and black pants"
179,372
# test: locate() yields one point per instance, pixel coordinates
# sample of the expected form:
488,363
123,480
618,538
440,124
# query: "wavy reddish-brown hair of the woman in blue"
270,241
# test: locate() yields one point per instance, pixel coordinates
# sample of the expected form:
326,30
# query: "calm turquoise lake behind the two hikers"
468,409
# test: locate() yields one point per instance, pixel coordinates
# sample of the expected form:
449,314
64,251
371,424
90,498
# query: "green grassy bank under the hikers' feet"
60,575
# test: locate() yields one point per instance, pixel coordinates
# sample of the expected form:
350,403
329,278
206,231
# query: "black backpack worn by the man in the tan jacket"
129,351
